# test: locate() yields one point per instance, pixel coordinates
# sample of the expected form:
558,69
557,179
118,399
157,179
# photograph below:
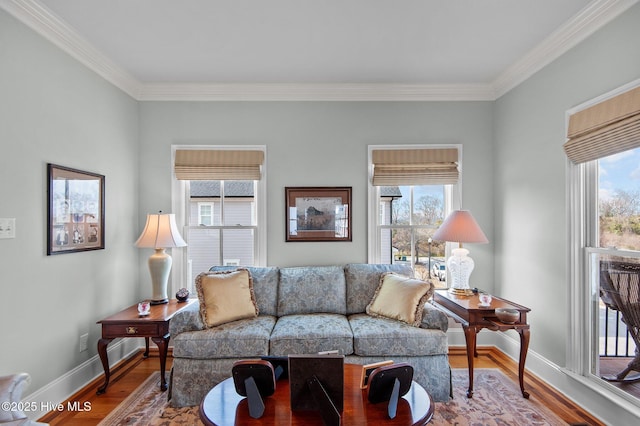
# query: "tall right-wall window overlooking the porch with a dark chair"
604,150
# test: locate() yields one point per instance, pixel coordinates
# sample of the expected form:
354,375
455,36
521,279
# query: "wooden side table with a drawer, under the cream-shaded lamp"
128,323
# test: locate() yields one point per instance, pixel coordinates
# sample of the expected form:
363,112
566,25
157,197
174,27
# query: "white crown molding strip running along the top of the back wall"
314,92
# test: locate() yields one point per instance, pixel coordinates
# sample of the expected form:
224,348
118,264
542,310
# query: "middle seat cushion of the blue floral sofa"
311,333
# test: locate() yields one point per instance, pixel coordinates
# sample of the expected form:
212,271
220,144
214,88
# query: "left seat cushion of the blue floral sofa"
237,339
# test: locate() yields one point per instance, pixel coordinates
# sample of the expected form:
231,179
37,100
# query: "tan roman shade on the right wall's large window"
607,128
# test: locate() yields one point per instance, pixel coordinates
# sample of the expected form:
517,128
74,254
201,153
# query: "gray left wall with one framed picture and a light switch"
54,110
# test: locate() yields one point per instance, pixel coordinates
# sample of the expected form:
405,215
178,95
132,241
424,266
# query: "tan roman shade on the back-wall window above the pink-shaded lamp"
426,166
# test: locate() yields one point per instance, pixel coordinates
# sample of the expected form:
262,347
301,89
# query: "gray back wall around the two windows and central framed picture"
322,144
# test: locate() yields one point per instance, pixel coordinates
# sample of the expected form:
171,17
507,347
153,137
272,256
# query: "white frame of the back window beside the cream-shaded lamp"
181,271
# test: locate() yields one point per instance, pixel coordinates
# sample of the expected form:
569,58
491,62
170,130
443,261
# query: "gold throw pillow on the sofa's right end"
400,298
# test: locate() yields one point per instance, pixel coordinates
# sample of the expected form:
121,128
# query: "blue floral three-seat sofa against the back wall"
306,310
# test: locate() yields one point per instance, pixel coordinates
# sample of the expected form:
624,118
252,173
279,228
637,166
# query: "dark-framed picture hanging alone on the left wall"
75,210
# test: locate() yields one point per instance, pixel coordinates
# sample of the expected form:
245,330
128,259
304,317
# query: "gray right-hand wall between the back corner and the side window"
531,228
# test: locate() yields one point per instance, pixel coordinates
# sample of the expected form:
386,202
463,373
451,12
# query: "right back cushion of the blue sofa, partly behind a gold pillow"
362,280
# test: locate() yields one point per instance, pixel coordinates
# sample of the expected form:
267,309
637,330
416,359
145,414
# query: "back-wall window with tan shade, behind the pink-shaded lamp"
410,193
